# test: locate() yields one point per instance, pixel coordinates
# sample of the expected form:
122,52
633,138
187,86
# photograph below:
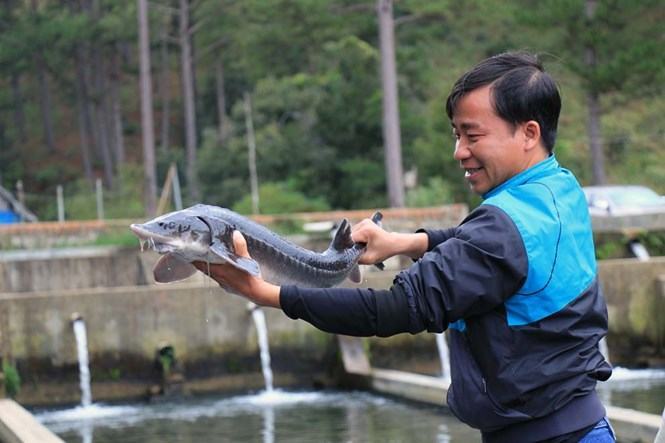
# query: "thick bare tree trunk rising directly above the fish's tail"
391,129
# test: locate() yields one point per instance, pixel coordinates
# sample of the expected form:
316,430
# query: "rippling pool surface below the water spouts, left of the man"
275,416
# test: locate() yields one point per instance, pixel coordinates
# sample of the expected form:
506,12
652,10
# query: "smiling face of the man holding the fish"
489,149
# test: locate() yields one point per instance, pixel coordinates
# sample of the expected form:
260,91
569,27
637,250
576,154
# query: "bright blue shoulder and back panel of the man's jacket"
561,265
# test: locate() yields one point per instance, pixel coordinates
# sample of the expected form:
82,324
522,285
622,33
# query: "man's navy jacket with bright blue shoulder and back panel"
516,285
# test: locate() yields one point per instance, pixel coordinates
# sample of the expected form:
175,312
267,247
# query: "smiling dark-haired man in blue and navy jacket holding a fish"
515,282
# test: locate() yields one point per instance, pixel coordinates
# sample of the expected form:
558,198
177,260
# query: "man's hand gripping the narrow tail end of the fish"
382,244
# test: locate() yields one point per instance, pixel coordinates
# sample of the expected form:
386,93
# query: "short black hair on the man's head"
521,90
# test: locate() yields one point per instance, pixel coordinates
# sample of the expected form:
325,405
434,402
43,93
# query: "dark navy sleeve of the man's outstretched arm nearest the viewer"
480,264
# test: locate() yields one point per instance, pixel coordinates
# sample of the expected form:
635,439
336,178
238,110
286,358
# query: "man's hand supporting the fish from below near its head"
254,288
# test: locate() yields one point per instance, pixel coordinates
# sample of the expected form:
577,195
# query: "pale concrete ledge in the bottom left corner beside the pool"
17,425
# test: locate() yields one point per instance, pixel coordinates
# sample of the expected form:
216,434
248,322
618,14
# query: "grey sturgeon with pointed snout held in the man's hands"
205,233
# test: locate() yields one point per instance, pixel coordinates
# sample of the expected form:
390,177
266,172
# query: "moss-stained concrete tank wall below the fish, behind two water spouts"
212,333
